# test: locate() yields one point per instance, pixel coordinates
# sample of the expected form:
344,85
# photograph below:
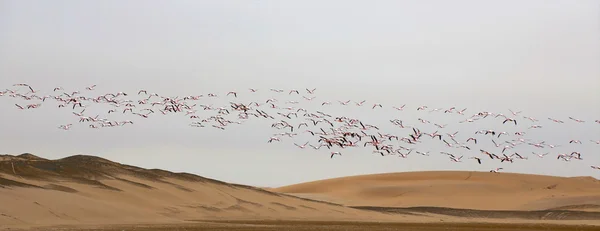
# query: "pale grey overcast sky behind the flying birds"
540,57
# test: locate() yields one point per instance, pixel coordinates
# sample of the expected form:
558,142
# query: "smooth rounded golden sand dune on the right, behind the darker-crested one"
472,190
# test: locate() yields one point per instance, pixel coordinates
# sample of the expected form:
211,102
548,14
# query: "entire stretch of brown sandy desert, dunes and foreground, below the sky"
90,193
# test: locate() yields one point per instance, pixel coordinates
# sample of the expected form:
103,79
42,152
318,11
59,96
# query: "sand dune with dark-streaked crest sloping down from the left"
91,190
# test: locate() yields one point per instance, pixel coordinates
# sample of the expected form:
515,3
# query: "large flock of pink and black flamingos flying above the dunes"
335,133
